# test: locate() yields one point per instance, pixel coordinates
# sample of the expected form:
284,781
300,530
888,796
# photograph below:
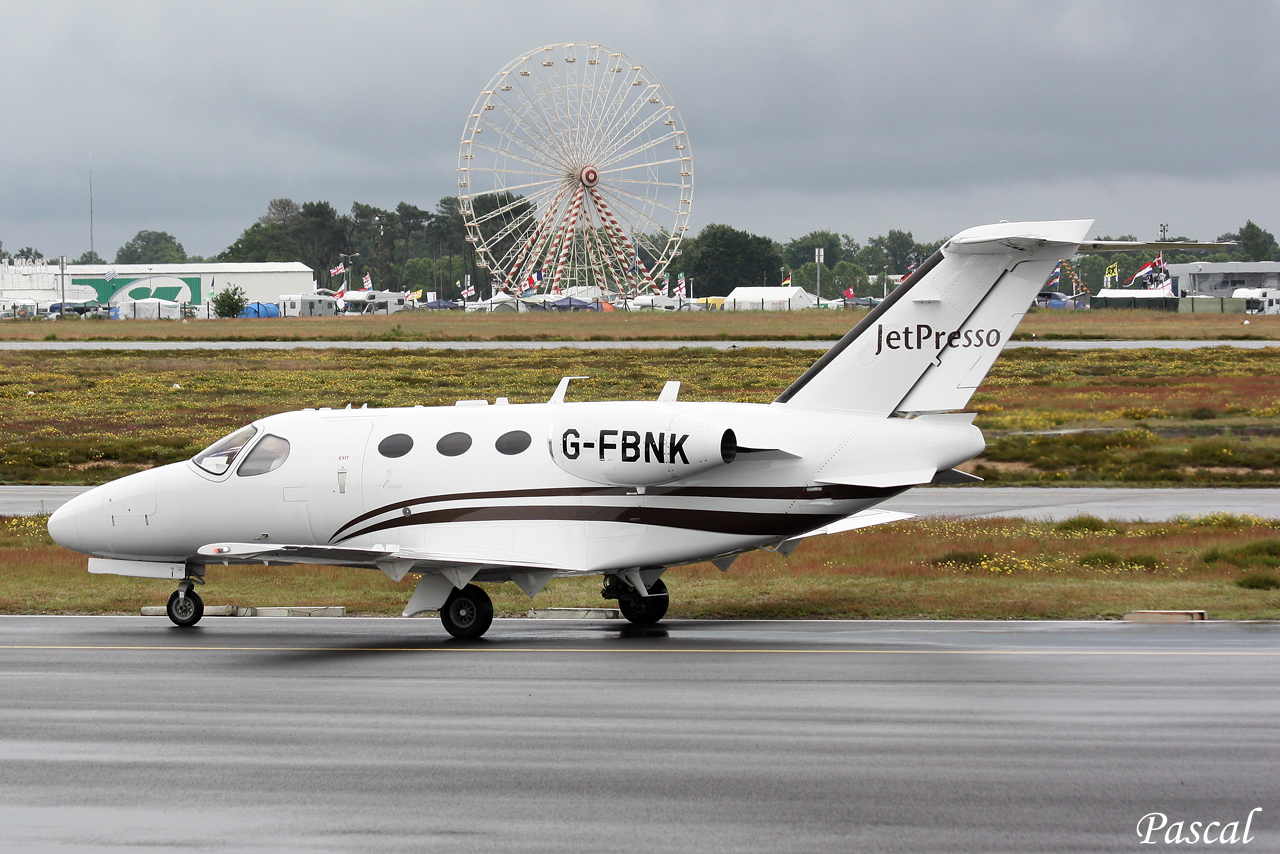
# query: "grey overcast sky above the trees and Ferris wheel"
854,117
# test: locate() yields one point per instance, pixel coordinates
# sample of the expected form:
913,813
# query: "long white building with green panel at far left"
42,282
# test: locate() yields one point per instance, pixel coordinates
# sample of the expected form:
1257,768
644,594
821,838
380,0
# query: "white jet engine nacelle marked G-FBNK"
637,446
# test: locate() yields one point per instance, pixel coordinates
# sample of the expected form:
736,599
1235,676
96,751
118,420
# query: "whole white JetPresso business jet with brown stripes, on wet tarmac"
525,494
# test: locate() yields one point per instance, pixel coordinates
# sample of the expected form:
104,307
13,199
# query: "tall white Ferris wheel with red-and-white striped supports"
575,175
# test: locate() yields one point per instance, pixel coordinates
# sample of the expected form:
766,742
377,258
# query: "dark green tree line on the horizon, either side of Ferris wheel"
410,249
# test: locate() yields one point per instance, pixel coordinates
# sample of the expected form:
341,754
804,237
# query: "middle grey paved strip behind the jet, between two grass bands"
1030,503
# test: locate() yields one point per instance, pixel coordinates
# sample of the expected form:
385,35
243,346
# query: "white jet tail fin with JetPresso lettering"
929,346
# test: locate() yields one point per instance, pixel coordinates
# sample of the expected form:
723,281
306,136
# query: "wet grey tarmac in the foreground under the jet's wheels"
380,736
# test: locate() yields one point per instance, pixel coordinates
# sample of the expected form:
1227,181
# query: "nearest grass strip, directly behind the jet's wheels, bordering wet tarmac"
929,569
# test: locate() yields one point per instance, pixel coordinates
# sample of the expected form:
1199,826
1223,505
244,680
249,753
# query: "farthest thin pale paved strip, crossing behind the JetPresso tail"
578,345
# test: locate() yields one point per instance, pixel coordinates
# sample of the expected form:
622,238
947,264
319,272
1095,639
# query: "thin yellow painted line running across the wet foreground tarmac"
572,650
